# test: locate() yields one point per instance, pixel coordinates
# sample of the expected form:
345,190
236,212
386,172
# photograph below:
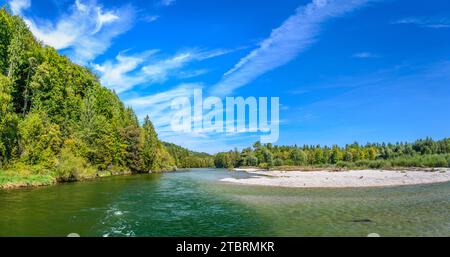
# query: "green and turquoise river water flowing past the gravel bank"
196,203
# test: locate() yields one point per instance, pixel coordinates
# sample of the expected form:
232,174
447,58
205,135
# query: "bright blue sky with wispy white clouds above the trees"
345,70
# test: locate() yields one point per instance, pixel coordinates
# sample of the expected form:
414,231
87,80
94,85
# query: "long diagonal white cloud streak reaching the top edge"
285,42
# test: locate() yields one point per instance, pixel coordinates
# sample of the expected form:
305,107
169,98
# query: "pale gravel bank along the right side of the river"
341,179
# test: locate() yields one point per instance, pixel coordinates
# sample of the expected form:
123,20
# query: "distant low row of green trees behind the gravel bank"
421,153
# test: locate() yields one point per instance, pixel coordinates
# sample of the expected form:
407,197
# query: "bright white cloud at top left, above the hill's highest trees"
84,32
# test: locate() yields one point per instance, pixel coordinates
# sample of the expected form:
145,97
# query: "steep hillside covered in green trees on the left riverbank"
58,123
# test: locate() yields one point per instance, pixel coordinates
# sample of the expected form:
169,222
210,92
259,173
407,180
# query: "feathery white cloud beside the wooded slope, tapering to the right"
127,71
